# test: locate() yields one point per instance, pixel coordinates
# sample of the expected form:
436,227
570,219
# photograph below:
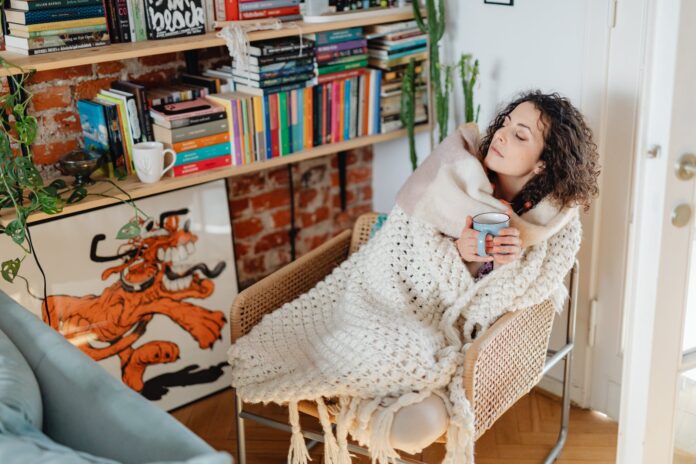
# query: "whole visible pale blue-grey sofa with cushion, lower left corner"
83,413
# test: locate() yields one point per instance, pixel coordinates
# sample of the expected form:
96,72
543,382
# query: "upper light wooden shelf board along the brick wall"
124,51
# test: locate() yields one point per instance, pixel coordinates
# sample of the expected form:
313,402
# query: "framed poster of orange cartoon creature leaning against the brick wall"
151,309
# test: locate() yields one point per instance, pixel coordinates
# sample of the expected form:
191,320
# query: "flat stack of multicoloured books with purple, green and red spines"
340,54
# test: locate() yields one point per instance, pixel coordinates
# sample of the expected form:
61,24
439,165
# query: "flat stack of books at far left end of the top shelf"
45,26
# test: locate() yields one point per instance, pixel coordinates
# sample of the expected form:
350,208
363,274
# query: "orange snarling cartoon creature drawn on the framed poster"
154,278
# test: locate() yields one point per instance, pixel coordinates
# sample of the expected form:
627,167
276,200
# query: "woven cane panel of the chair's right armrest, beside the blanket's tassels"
506,361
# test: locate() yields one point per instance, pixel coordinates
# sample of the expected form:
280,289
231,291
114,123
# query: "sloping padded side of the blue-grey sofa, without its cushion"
87,409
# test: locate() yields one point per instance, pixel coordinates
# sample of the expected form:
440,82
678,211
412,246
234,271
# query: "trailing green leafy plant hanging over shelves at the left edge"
22,189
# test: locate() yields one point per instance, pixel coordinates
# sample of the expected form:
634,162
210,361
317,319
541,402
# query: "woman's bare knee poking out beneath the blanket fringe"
419,425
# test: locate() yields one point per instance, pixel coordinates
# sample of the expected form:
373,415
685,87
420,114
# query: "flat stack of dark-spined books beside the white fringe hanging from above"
275,65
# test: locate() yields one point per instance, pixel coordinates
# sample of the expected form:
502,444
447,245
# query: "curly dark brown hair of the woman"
569,153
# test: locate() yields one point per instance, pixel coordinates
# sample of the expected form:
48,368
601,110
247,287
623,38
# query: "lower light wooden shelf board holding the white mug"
136,189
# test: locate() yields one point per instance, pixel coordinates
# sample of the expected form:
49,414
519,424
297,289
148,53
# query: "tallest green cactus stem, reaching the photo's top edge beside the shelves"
434,26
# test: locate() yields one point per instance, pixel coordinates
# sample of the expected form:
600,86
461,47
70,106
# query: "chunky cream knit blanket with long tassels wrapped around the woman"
390,325
